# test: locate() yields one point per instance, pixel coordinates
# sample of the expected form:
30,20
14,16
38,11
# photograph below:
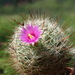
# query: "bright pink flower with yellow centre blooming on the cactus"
30,34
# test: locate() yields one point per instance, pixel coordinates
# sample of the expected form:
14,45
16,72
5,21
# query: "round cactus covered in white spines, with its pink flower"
40,46
